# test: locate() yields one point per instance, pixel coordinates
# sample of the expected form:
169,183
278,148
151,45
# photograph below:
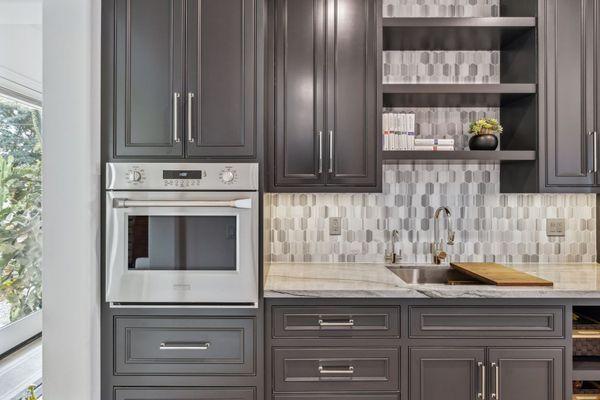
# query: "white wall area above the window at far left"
21,47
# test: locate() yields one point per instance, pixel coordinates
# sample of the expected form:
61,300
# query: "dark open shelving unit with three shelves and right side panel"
515,93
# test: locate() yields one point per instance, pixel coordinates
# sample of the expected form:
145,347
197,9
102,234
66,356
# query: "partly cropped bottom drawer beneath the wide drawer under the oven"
153,393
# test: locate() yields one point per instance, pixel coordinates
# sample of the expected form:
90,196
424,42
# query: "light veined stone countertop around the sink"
360,280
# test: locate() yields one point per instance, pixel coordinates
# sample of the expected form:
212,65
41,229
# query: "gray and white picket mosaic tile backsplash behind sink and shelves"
489,226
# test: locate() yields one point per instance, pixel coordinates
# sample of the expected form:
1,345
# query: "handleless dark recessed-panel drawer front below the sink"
486,322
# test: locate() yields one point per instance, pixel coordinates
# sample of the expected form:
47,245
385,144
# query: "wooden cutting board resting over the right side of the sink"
500,275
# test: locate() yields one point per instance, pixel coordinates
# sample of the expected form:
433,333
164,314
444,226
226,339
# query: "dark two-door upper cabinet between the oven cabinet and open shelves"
326,96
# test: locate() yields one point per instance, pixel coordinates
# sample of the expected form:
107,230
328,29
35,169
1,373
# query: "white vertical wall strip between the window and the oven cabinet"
71,321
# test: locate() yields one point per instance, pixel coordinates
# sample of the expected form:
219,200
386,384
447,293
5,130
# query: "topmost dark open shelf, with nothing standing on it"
454,33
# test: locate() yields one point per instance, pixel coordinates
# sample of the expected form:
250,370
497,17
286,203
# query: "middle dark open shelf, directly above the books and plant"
454,95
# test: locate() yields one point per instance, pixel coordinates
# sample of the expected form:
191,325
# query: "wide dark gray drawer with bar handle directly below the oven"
184,346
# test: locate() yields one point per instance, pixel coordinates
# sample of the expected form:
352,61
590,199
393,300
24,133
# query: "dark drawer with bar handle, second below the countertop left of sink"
335,369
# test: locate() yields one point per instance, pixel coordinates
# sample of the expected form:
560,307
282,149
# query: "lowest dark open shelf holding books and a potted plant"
393,157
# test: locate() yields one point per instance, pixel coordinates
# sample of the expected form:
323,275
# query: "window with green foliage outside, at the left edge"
20,222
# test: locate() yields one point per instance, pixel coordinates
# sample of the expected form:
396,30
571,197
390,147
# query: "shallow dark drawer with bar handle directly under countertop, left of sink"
335,322
